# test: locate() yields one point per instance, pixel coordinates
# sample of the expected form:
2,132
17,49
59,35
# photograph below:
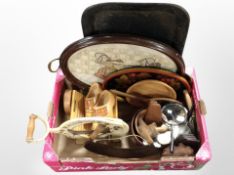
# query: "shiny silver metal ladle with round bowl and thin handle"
174,114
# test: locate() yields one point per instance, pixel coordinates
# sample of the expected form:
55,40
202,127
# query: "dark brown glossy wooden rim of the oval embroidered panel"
122,39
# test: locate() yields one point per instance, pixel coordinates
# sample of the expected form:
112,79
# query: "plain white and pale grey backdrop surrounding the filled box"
34,32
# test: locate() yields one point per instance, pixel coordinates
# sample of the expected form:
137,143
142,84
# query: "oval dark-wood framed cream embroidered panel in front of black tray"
92,59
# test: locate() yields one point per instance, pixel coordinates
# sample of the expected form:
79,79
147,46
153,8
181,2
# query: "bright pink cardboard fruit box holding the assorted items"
59,159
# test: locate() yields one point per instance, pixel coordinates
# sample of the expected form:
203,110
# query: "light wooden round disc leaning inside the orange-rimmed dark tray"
151,89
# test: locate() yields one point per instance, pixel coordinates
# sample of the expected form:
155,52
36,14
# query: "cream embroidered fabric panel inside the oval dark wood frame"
92,64
